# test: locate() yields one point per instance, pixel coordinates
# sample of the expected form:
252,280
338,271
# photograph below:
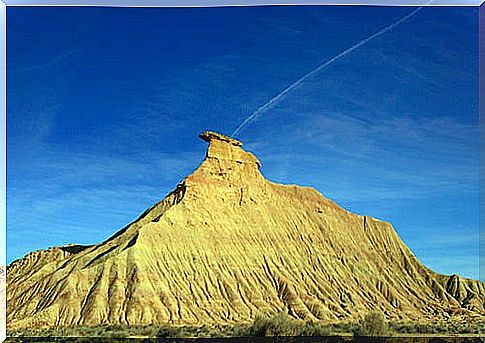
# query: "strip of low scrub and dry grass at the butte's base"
372,325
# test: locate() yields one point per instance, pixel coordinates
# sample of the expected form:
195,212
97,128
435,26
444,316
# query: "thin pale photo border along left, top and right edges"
4,4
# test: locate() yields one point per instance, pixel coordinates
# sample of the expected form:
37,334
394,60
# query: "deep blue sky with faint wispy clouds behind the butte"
105,106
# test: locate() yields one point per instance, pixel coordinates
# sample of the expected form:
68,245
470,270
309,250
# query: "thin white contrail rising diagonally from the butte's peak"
295,84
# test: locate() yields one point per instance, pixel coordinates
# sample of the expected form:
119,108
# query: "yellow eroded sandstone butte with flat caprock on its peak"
227,244
